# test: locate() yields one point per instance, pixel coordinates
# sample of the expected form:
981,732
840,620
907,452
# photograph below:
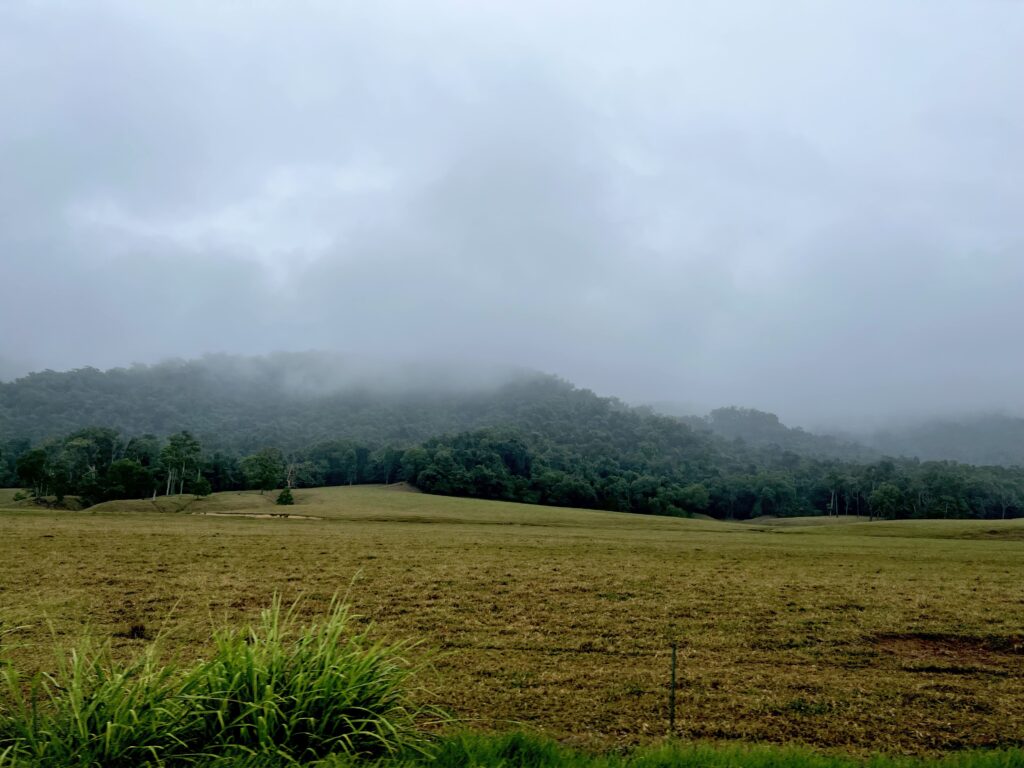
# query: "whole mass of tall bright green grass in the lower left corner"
279,691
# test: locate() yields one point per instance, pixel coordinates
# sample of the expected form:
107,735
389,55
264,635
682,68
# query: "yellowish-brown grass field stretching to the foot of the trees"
901,637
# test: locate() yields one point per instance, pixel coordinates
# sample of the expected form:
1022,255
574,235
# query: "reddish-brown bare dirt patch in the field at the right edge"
940,652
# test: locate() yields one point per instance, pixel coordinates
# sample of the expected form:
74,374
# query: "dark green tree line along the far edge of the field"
652,471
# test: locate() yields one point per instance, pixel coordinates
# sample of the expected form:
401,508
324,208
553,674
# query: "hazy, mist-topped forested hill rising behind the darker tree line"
238,406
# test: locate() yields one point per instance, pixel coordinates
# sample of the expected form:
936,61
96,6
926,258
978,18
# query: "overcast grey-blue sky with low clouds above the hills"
813,208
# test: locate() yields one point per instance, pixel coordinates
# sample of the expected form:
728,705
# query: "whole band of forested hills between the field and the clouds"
227,423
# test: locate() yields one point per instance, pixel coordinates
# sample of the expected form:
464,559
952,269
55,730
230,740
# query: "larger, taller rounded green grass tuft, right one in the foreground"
307,692
